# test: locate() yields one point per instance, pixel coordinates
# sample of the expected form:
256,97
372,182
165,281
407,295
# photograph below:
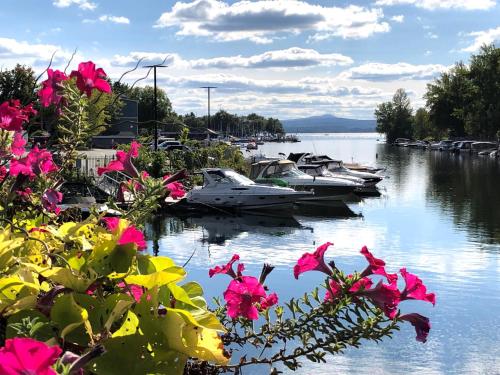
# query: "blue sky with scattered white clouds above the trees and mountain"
282,58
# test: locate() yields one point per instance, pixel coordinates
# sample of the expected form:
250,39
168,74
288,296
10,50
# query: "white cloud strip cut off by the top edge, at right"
442,4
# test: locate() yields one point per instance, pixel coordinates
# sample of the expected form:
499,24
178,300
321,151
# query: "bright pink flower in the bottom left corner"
24,356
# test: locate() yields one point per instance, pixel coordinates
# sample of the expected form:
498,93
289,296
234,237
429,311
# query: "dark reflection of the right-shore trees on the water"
467,188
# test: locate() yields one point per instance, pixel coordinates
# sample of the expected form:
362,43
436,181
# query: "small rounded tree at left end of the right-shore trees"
394,118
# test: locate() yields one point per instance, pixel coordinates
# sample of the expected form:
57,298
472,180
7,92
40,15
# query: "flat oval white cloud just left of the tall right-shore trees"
392,72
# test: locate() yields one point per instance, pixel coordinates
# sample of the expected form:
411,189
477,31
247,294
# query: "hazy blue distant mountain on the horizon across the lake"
328,124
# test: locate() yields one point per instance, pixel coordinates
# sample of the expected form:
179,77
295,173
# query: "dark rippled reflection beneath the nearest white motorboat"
221,228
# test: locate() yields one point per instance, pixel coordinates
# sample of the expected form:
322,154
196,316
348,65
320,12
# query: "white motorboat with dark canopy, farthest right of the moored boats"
336,167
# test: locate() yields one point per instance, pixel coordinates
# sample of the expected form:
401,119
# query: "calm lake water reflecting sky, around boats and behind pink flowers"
438,215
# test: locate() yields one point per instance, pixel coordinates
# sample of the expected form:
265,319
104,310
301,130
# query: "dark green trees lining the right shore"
463,102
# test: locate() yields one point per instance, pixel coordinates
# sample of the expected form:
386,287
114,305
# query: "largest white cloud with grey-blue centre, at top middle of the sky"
262,21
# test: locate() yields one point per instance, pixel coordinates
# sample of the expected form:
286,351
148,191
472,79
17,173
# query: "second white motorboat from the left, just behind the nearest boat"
286,173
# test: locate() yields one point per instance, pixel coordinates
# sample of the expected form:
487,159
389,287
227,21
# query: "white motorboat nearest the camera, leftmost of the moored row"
224,188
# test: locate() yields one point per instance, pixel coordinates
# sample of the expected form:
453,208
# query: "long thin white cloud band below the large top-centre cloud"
295,57
